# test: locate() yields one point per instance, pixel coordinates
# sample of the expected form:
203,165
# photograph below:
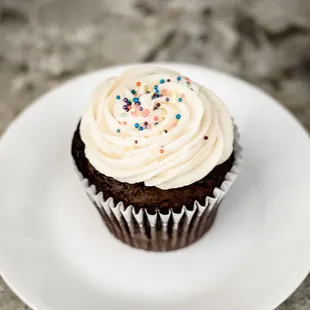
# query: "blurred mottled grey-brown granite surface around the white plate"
44,42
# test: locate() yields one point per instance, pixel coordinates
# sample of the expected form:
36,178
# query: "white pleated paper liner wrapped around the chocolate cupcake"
158,231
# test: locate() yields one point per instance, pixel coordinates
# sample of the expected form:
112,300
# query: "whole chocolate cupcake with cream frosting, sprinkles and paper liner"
156,153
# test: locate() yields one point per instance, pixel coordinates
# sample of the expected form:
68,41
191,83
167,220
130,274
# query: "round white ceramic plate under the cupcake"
56,254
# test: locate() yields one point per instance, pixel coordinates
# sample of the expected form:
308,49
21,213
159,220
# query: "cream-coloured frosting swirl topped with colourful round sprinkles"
155,126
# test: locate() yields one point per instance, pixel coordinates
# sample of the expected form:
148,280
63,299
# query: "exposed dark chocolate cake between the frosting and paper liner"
150,198
